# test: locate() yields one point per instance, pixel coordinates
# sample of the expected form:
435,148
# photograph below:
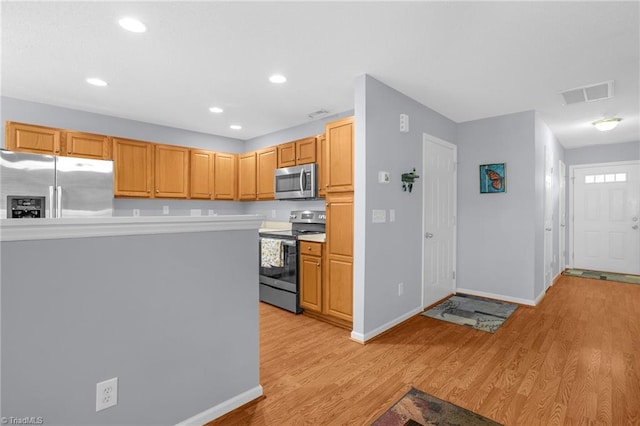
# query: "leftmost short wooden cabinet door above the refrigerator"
35,139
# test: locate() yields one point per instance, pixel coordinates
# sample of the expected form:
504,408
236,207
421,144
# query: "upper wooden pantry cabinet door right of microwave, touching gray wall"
339,156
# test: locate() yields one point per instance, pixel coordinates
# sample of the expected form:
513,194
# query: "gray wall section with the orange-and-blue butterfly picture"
496,232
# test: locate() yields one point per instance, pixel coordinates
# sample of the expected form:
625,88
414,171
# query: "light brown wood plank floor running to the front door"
573,359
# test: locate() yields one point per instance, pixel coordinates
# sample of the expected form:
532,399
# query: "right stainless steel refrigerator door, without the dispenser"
84,187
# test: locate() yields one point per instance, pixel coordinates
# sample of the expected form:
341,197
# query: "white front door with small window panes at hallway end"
607,217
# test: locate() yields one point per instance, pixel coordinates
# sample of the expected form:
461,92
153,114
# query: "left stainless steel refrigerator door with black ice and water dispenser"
26,175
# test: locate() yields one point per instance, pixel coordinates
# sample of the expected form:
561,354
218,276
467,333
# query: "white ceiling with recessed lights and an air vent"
466,60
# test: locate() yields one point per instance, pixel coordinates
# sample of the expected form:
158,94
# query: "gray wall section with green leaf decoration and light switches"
386,254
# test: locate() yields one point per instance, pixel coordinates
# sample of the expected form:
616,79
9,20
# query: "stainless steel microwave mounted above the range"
297,182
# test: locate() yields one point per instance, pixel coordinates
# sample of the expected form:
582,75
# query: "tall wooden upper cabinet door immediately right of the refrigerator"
133,168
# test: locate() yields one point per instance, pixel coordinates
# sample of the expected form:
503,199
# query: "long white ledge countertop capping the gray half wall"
51,229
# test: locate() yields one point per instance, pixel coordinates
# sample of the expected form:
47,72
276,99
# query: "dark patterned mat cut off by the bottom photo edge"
419,408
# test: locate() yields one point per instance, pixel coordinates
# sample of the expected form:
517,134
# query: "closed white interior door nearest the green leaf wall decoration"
439,220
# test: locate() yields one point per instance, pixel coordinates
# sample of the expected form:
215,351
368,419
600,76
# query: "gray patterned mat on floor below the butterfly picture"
473,312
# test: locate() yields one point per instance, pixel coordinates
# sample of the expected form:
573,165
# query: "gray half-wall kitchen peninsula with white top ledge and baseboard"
168,305
